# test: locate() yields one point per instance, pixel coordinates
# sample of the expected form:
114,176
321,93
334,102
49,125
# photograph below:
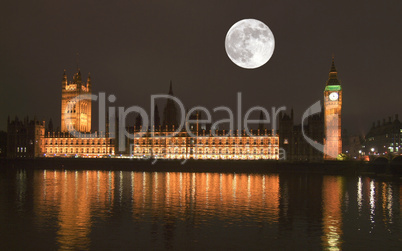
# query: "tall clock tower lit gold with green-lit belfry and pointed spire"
333,108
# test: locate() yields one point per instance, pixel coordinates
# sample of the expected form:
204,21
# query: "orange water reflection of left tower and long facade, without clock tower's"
74,198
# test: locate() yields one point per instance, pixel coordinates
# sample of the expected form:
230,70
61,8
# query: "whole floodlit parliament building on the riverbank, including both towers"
33,139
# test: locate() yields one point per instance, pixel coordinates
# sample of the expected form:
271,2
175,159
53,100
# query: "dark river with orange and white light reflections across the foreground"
48,209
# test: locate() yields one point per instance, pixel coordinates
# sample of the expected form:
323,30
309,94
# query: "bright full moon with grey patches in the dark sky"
249,43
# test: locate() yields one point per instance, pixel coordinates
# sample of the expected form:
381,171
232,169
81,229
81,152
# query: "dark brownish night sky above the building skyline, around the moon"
134,48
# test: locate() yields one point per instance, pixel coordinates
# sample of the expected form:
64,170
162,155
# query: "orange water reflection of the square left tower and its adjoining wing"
70,198
